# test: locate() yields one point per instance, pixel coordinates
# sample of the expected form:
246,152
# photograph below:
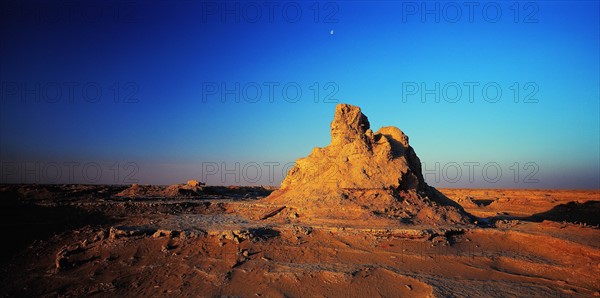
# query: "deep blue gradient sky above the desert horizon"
159,119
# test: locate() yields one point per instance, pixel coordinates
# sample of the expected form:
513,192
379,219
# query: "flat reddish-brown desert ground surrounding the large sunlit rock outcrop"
79,240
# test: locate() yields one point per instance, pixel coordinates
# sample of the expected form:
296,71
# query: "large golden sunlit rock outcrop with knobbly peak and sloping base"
362,174
